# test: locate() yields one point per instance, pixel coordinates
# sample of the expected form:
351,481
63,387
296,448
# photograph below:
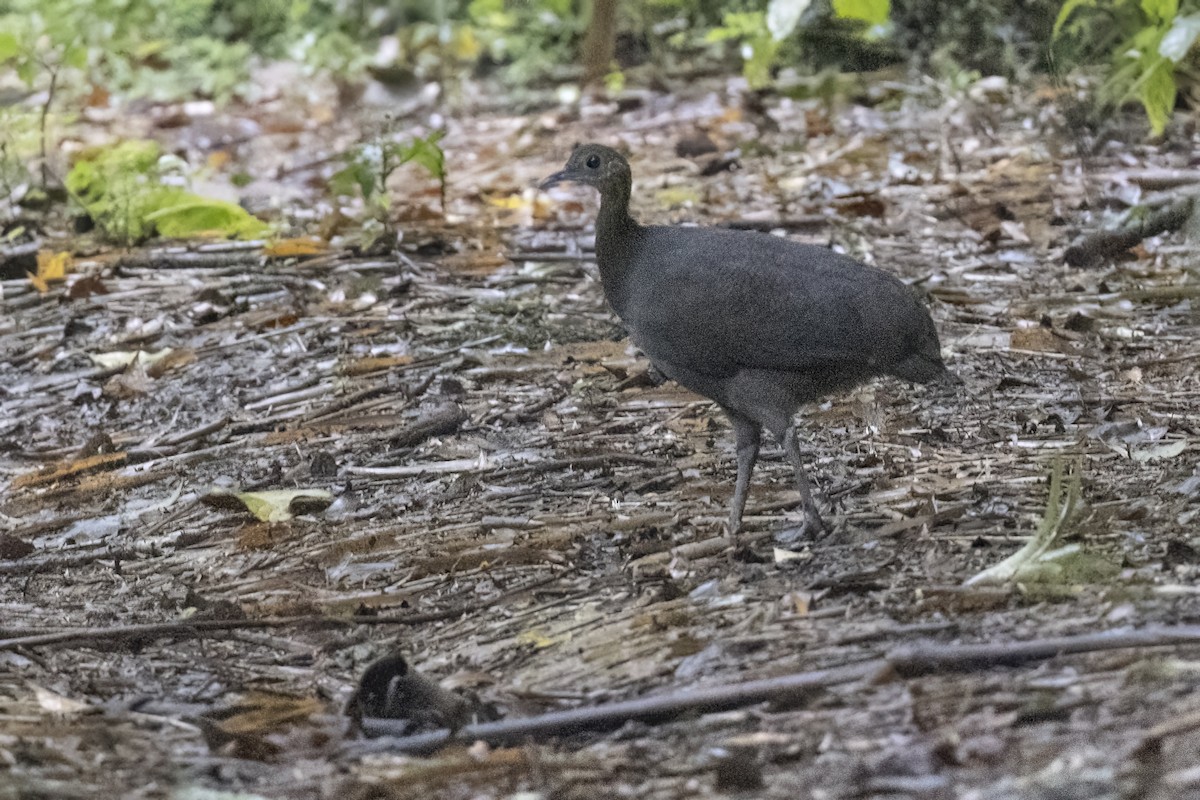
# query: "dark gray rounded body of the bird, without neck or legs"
718,302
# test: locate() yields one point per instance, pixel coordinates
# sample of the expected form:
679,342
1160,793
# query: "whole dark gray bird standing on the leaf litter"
757,323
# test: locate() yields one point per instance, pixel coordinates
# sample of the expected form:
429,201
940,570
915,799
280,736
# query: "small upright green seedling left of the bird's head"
370,165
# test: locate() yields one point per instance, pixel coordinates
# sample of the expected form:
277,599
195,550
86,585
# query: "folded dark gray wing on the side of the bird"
784,309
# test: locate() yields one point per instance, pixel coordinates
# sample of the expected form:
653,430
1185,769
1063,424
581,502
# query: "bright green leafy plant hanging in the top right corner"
1144,64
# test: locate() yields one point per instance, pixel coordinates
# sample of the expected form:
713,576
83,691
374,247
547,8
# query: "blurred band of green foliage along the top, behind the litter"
171,50
